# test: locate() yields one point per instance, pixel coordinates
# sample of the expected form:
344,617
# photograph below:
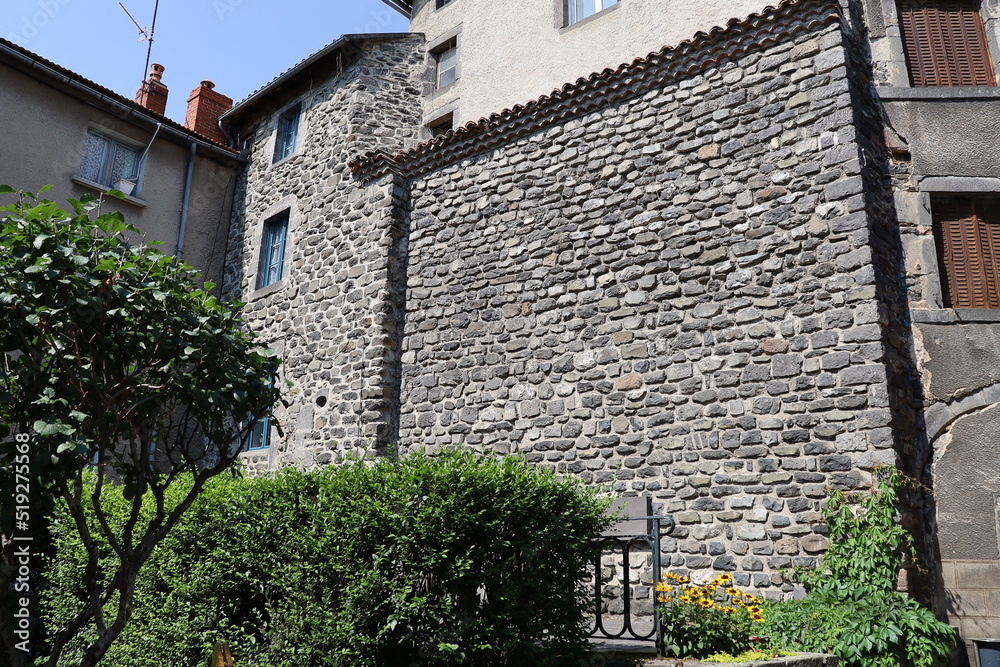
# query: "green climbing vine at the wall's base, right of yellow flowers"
853,608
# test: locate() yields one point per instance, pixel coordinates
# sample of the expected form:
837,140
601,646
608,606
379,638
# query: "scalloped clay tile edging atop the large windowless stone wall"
758,31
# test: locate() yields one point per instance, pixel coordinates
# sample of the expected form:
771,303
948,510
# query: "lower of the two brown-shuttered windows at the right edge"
967,235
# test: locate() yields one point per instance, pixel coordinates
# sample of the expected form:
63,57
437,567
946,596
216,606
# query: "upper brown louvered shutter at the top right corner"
945,43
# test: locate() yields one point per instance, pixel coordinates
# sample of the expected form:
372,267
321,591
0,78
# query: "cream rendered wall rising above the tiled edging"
513,51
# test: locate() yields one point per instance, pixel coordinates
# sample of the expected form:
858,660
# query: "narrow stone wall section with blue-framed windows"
332,317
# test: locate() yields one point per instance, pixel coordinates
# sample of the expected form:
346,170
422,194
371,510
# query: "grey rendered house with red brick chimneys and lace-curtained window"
63,130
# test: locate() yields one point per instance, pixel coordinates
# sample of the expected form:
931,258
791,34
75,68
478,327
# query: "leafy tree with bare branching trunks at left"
112,361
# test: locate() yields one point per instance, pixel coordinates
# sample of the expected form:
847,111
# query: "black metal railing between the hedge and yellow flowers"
626,545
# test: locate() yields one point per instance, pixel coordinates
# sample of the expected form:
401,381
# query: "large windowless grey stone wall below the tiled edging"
671,294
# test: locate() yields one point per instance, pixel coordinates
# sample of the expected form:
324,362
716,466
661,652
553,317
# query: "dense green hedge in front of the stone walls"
455,559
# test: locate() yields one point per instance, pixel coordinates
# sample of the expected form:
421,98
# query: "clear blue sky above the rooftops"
238,44
